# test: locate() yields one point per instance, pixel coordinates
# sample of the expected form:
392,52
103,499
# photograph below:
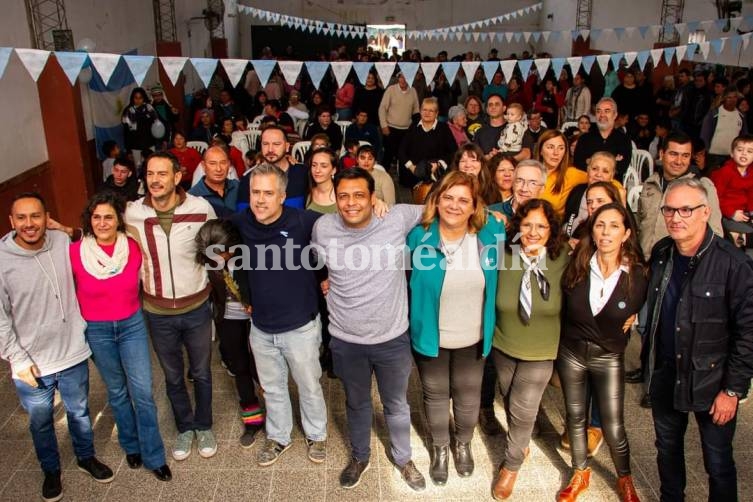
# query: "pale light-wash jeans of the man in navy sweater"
296,351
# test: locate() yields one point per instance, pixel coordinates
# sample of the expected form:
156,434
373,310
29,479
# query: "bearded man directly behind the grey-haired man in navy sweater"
274,148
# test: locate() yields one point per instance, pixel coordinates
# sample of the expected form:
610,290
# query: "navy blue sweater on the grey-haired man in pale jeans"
282,299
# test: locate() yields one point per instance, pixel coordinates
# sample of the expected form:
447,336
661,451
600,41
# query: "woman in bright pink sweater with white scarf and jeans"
106,267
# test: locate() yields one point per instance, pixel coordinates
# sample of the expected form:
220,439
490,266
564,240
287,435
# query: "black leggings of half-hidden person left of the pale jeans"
234,346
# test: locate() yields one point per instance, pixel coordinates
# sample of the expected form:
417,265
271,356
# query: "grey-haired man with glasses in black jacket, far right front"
700,335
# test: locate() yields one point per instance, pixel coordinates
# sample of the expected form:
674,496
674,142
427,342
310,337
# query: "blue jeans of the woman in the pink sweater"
121,353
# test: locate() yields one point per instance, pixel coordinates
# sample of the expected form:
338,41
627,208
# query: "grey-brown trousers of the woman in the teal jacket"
454,374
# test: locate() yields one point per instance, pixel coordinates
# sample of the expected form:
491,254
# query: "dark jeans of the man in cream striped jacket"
194,331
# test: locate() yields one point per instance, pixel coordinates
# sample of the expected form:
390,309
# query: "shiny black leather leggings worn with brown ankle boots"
577,364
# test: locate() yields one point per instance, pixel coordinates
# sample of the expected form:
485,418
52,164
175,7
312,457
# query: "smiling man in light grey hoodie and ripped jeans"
42,336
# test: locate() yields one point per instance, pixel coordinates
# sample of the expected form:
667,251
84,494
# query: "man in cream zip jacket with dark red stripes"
176,296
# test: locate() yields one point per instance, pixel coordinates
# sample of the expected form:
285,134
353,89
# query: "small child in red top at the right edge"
734,186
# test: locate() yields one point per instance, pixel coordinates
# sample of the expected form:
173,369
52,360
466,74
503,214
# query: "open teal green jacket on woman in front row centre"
426,283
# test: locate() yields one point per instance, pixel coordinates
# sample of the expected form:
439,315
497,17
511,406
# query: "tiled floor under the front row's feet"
234,475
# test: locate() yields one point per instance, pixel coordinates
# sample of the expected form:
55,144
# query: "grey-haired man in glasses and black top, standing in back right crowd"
605,138
